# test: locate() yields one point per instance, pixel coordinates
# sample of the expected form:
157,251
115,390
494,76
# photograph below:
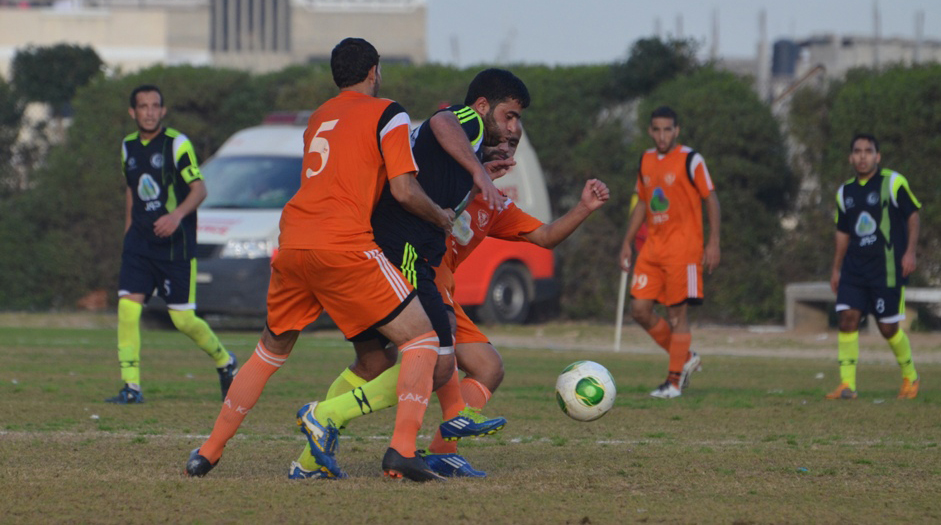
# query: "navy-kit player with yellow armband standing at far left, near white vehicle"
164,188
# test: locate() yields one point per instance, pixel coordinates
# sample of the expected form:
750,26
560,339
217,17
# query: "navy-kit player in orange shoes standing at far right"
877,235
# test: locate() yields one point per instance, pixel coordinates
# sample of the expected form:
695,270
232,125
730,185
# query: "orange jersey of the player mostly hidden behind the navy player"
482,221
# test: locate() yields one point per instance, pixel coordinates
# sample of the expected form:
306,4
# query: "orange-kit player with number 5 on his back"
328,260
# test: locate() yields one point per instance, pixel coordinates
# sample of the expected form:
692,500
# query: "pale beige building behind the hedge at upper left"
254,35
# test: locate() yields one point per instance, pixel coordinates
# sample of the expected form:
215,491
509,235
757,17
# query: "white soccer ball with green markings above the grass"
585,390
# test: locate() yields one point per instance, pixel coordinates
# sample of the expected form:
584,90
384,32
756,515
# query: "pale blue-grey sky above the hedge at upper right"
569,32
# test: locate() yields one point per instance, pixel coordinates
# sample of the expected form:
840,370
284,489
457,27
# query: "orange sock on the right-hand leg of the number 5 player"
413,389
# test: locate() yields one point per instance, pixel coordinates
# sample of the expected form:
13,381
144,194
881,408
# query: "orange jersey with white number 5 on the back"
353,145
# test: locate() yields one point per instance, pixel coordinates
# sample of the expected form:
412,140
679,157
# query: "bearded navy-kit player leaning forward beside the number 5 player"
447,150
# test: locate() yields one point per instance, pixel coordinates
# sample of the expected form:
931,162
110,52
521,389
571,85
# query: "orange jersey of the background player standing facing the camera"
673,186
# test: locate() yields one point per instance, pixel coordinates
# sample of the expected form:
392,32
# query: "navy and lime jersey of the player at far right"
875,215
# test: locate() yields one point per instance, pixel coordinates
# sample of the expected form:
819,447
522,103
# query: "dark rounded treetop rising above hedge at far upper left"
54,74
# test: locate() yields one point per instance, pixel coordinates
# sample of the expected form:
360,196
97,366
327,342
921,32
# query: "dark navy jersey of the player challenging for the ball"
444,180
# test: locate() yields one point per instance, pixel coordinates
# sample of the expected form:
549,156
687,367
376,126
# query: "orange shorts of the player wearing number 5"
357,289
